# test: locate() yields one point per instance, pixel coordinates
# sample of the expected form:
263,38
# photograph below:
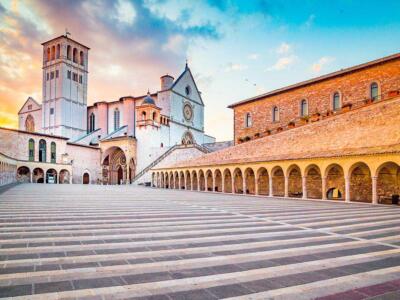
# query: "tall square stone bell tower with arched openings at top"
65,79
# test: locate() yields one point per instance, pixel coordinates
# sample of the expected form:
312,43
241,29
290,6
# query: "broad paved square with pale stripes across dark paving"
110,242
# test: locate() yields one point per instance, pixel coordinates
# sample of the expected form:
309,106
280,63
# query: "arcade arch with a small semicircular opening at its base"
335,183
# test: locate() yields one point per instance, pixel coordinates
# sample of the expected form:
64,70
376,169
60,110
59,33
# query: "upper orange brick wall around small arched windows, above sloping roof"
353,87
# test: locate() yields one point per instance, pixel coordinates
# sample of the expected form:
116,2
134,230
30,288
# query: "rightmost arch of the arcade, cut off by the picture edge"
388,180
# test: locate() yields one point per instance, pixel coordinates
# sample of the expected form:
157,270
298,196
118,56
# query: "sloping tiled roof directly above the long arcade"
369,130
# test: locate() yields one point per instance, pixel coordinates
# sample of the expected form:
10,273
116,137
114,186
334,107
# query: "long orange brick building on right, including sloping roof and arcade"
334,137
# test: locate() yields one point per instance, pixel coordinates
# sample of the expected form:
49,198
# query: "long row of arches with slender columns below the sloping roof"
357,183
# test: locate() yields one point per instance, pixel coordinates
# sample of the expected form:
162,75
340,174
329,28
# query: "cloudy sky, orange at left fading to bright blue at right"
235,49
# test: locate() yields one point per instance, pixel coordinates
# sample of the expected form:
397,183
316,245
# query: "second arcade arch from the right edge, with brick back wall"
360,183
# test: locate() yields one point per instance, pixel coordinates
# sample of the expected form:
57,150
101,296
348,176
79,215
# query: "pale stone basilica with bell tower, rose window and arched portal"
63,140
